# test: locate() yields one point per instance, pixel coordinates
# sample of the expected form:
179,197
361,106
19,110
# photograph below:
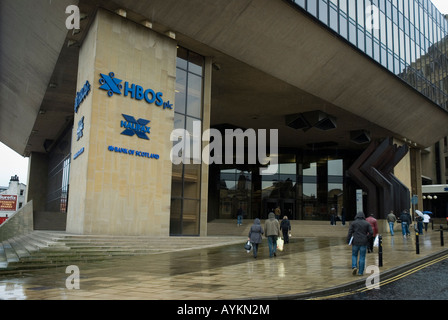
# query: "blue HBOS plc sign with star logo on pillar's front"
114,86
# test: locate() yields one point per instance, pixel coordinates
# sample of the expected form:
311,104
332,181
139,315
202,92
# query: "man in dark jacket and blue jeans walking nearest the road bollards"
358,236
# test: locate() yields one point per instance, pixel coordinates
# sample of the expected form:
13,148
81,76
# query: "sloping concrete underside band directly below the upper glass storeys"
281,41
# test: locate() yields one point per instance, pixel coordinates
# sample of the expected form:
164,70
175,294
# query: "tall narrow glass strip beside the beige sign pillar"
186,176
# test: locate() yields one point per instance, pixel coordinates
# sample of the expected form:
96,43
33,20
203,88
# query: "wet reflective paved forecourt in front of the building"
308,267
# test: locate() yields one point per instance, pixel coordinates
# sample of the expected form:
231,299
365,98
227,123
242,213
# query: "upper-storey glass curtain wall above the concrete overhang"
407,37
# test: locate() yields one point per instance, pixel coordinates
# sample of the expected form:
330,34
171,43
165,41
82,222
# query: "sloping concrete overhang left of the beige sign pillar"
32,34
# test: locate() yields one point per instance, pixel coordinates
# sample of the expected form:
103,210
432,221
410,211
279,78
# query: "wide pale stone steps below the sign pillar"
45,249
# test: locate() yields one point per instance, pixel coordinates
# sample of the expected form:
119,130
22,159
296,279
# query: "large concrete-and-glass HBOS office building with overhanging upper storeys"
136,116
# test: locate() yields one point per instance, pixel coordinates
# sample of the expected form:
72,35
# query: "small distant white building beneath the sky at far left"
13,197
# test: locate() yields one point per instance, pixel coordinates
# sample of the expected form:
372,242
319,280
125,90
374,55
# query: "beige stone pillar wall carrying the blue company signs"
112,192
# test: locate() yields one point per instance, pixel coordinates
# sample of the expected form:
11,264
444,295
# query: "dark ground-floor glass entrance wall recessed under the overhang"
306,186
